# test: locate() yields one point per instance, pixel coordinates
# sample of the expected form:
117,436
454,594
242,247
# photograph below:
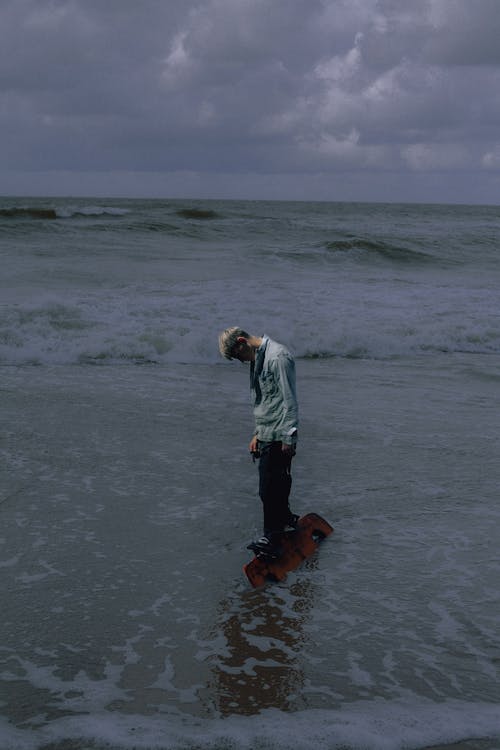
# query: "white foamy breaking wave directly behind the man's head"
115,330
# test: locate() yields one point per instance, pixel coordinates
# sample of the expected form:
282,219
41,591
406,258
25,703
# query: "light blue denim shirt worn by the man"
272,379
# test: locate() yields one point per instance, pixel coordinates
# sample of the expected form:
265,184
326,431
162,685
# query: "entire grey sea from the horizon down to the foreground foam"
127,496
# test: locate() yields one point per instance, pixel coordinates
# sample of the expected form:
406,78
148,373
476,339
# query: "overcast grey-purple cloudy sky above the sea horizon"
287,99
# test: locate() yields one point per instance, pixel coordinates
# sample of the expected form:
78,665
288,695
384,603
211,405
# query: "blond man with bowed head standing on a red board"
272,381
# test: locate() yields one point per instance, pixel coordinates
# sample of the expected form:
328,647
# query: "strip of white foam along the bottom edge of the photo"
372,726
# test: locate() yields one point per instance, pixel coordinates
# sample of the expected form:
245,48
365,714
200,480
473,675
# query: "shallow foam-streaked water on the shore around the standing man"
126,613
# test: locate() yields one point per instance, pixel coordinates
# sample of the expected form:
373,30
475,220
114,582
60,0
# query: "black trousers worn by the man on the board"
275,482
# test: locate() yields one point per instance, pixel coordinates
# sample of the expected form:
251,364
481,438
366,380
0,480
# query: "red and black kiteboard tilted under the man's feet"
296,547
